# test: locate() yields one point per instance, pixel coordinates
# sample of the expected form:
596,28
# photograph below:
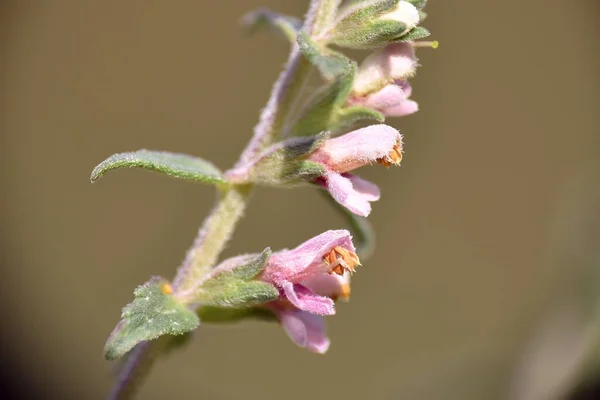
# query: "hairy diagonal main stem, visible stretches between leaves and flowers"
220,224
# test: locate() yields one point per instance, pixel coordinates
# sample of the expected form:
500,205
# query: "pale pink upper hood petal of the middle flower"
357,148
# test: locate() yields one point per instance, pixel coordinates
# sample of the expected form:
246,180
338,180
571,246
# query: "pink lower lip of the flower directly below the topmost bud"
393,100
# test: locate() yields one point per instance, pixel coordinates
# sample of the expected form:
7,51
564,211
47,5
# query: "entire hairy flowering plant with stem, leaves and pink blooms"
337,130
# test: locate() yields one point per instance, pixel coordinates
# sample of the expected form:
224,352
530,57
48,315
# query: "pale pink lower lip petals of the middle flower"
354,199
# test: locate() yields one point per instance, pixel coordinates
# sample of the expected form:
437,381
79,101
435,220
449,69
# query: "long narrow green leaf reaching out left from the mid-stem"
173,164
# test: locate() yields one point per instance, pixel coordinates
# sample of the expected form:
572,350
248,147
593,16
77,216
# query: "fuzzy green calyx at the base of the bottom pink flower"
235,293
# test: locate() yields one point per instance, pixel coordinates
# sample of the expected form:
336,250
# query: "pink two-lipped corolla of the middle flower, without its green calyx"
375,143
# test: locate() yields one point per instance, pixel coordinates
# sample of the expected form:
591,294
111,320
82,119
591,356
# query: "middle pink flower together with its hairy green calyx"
337,156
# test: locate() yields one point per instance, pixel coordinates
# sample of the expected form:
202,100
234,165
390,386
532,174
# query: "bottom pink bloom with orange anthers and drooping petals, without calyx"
310,277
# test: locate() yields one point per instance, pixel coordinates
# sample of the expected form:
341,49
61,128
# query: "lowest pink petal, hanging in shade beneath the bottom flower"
305,329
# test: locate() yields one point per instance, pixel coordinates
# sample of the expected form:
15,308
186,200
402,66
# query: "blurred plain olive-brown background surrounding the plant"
485,280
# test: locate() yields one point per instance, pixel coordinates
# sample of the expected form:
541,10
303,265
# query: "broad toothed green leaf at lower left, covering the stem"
154,312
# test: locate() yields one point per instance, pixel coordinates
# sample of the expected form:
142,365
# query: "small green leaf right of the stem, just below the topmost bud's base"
330,63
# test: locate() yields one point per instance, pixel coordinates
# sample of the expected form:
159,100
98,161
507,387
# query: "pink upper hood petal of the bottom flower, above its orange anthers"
306,260
